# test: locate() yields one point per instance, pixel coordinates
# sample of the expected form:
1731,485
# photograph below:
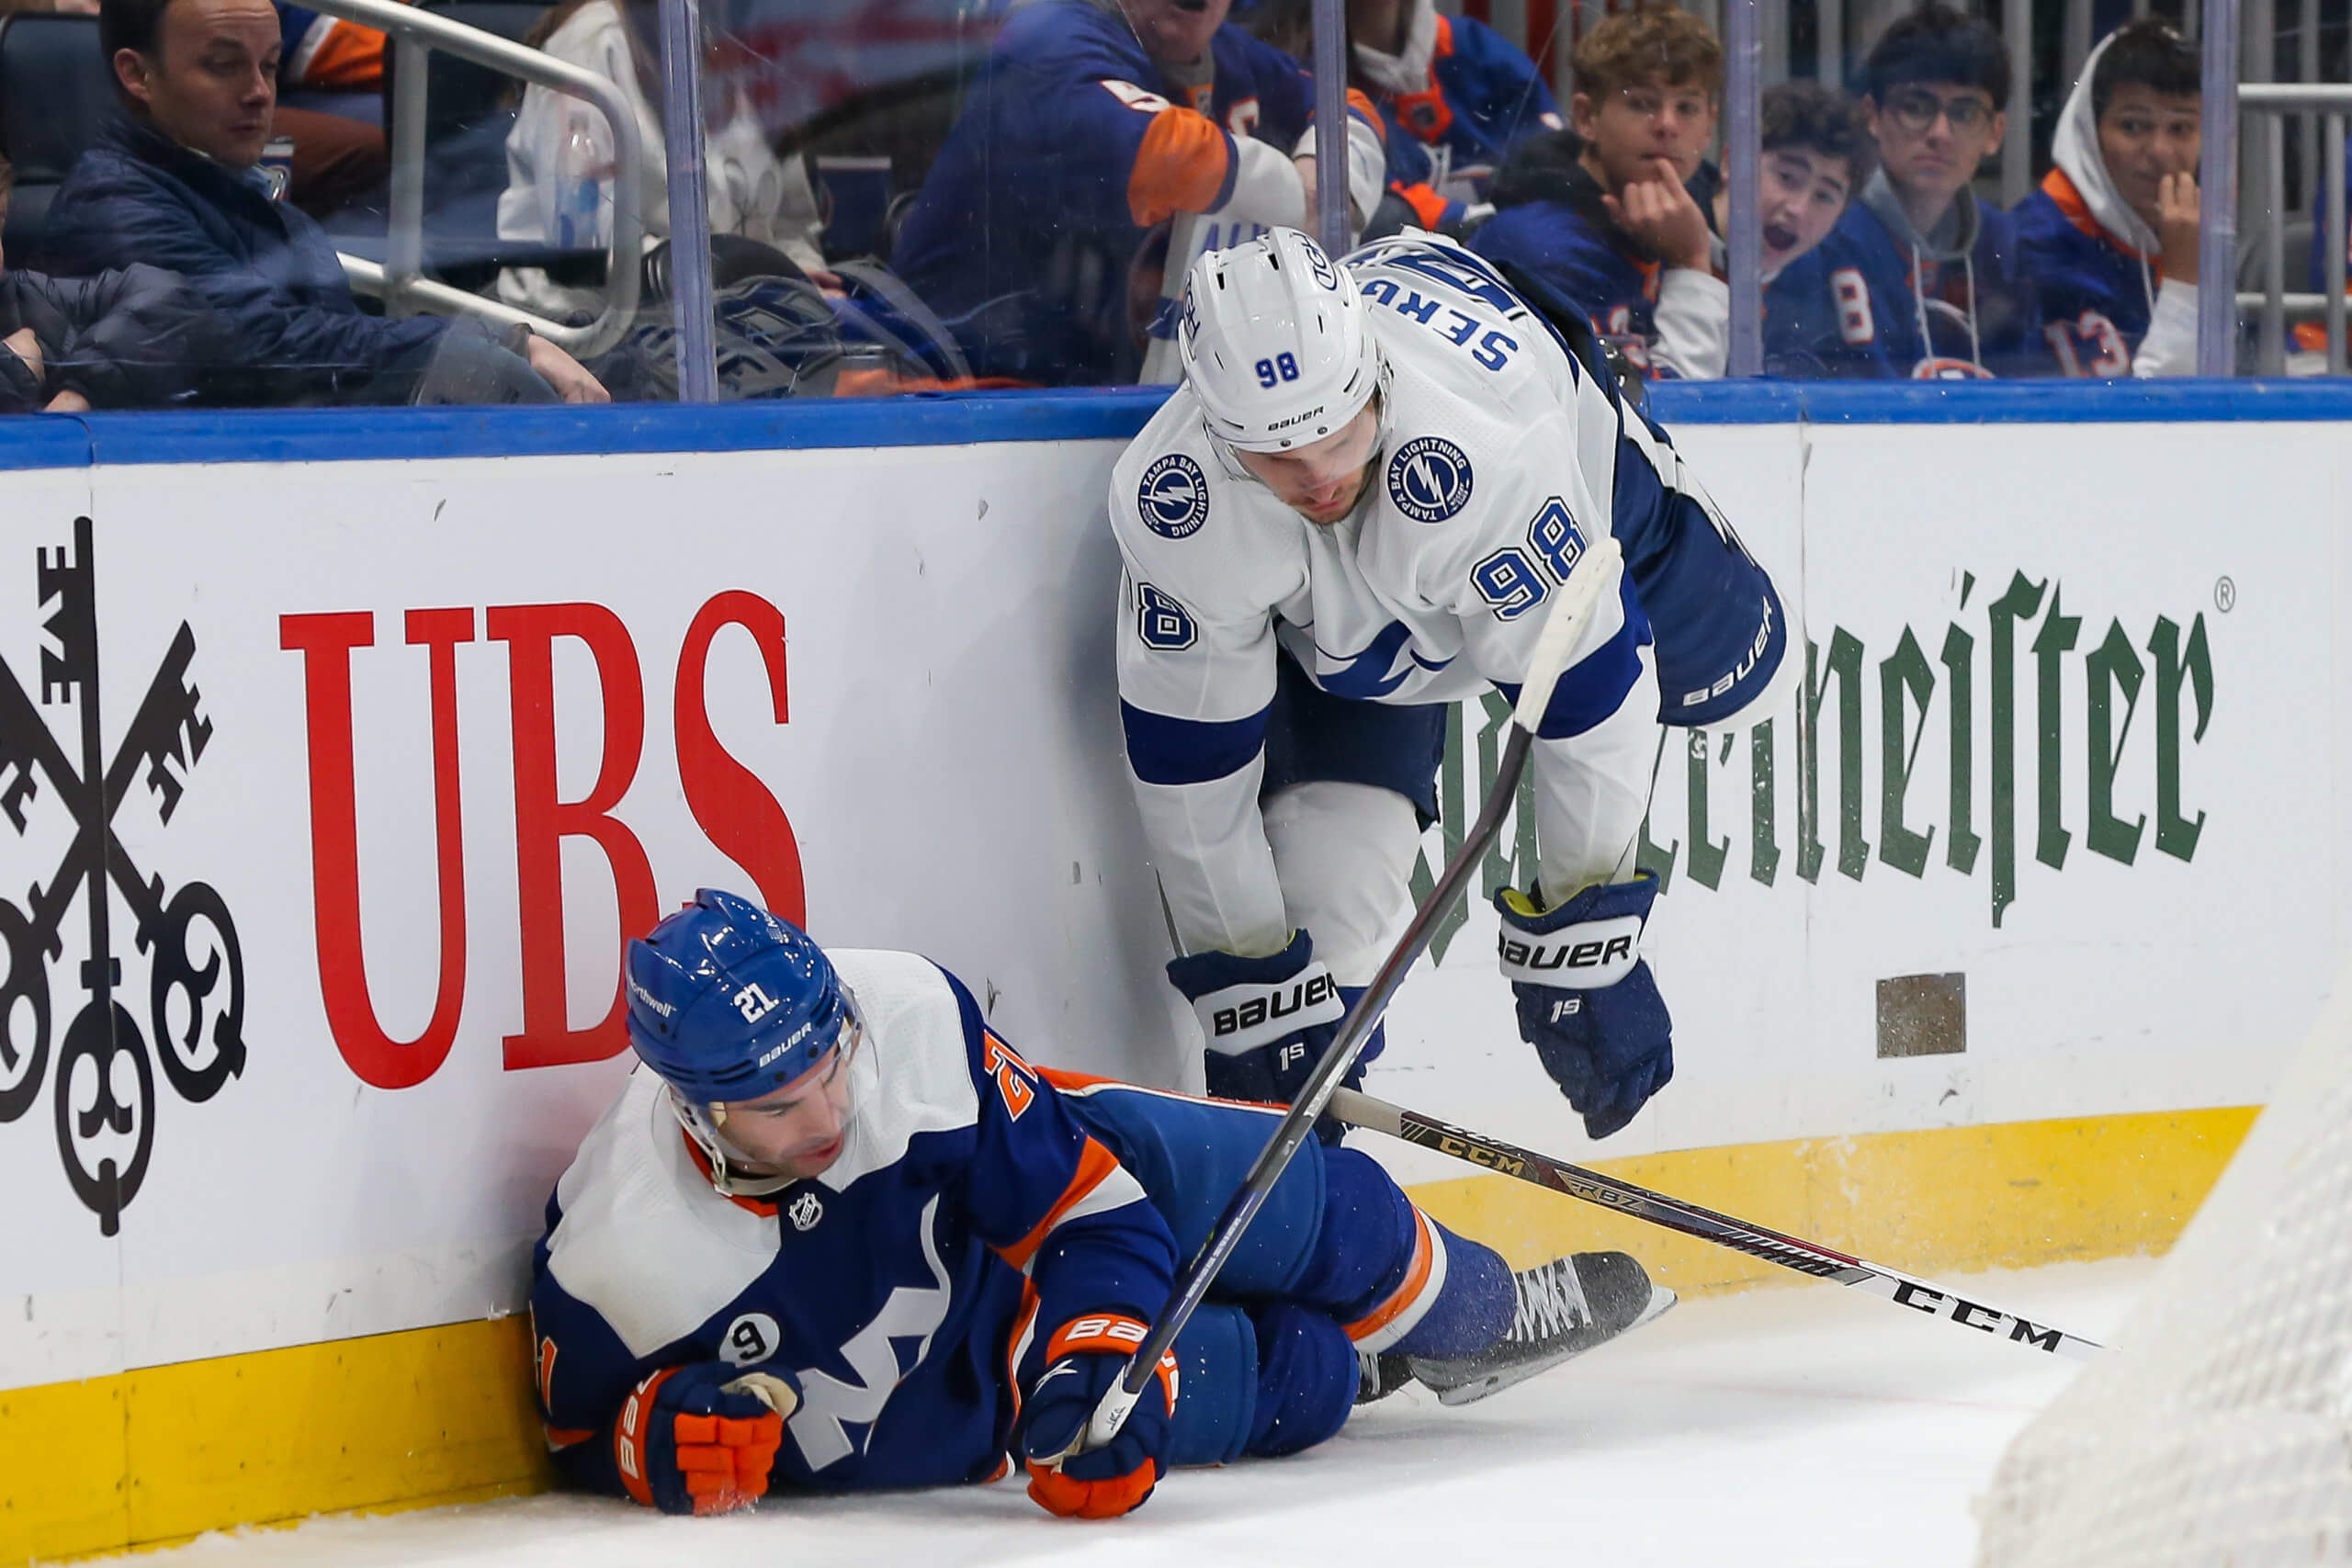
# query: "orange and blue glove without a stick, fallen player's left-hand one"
700,1440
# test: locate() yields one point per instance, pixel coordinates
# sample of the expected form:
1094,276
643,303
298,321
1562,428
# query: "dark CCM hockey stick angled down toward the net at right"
1692,1221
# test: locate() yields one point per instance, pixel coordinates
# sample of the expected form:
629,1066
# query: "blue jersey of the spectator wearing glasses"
1967,319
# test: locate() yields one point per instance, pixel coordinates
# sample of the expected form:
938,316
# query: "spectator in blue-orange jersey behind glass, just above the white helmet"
1452,93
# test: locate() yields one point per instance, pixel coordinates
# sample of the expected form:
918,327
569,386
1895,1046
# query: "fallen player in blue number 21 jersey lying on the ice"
836,1235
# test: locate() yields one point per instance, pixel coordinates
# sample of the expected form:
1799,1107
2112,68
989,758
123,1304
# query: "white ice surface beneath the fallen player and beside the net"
1796,1428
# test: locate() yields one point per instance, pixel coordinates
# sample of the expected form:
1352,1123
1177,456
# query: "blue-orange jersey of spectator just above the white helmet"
1481,102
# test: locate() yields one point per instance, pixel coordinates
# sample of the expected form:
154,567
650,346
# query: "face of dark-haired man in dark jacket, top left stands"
213,83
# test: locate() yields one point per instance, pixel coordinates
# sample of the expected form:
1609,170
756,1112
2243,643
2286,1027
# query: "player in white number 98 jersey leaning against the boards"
1354,511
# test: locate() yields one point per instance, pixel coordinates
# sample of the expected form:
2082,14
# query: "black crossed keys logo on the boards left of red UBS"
105,1071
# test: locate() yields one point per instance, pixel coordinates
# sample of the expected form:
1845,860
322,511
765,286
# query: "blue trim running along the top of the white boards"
930,420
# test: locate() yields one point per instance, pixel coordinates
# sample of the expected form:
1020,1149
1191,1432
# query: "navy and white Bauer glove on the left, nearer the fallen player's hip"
1267,1021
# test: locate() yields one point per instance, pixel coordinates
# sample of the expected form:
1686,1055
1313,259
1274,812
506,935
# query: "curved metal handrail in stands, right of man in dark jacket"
399,281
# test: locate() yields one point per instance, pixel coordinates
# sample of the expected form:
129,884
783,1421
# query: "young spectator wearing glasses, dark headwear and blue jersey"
1946,281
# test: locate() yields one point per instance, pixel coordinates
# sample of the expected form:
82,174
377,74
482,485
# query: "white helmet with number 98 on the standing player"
1276,342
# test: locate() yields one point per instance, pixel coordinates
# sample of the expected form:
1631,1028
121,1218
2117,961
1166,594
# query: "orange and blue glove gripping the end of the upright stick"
1107,1482
